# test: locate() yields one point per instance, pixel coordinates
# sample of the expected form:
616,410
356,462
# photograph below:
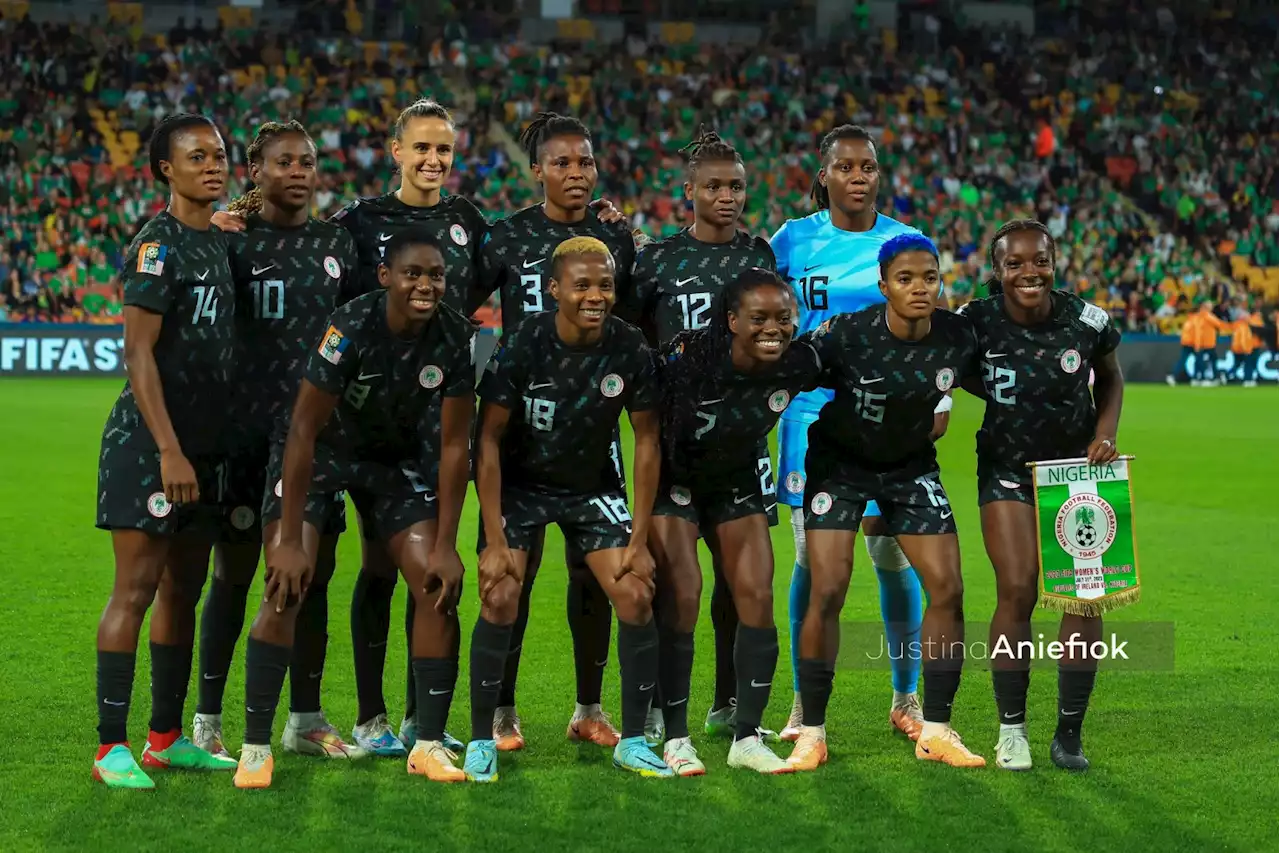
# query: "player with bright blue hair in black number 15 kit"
889,367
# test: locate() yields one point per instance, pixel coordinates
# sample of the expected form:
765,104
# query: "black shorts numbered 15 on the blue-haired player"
911,504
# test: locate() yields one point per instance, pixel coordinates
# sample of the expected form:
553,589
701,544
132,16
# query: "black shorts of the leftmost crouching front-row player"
390,499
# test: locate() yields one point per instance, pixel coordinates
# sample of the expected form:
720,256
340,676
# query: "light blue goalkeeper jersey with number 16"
831,272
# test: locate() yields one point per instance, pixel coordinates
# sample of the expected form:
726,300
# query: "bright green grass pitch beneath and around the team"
1183,759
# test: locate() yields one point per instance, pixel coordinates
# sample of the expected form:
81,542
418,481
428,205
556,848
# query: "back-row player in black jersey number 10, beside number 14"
291,272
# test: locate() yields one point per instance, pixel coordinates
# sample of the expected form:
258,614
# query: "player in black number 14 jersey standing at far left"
158,478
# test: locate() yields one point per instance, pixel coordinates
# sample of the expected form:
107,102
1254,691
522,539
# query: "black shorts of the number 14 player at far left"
131,494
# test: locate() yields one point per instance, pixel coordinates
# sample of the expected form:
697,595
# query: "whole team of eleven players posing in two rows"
280,364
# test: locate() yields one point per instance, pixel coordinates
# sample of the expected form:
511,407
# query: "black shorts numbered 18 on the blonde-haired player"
589,522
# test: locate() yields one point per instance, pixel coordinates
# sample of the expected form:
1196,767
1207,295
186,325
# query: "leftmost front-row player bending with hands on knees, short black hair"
386,364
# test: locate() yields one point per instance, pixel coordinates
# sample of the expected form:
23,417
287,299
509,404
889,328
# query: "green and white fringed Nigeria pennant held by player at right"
1089,549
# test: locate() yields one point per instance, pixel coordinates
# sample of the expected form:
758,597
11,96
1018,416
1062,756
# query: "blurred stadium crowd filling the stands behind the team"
1100,136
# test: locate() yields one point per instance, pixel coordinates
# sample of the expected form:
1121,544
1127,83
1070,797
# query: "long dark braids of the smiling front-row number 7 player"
693,363
